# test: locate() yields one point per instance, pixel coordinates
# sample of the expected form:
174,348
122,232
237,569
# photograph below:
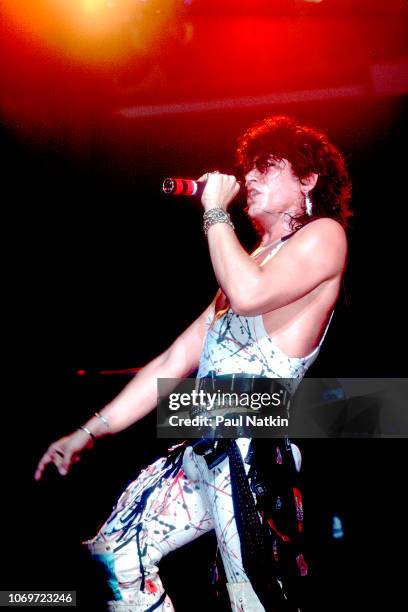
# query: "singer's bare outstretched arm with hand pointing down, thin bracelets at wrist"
136,400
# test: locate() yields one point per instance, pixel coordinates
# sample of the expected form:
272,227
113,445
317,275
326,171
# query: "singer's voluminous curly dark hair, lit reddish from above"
308,150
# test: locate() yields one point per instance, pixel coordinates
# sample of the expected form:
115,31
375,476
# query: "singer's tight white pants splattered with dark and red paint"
158,513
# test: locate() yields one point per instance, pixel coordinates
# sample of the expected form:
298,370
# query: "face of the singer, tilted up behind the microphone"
271,190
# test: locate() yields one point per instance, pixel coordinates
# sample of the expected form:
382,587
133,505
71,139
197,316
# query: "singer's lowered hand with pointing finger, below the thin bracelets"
63,453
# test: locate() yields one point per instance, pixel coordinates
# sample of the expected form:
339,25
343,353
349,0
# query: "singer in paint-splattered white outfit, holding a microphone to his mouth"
267,321
